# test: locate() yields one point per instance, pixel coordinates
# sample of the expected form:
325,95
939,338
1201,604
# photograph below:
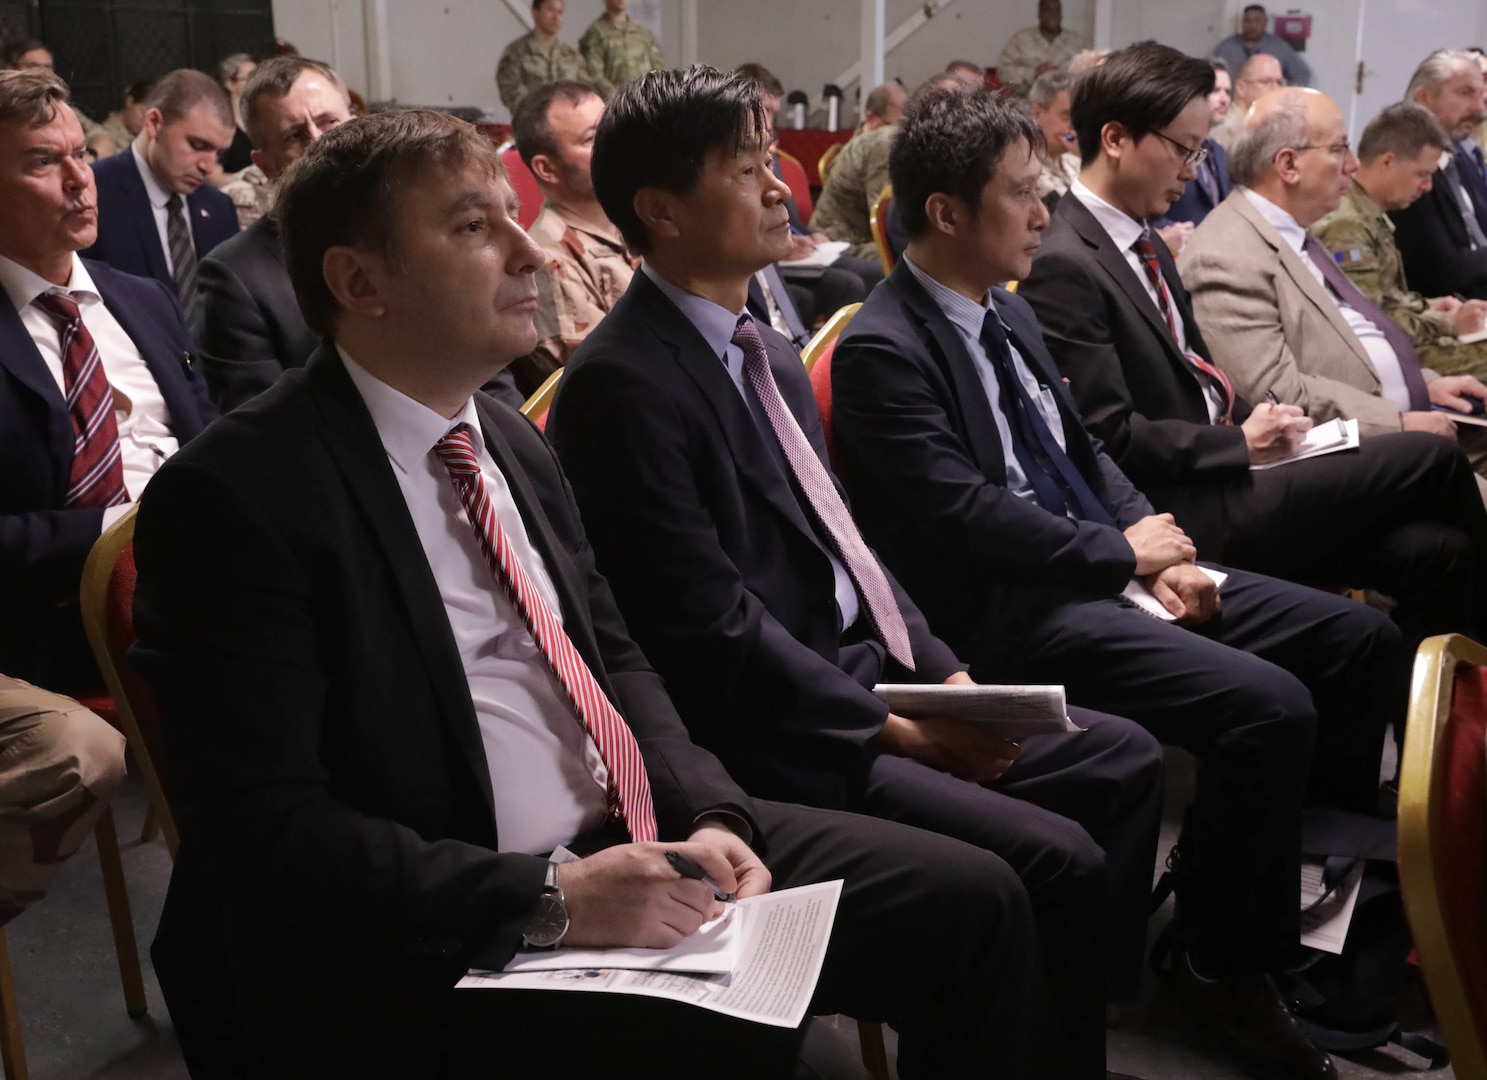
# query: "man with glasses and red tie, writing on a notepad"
1401,514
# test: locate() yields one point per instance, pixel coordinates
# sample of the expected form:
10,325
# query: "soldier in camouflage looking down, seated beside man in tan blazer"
1400,152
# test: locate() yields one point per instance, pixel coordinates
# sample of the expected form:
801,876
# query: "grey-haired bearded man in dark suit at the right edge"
1443,243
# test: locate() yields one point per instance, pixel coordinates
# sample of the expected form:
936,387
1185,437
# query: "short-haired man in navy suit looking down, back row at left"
158,216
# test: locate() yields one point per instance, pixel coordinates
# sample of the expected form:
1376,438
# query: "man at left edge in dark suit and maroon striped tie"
80,440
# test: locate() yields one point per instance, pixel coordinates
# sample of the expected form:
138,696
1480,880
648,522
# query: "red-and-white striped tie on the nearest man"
630,786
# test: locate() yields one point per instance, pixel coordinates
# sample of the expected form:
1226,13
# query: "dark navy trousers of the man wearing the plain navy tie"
1284,700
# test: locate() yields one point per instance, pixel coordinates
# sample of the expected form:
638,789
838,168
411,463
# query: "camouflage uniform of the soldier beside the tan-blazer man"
1361,239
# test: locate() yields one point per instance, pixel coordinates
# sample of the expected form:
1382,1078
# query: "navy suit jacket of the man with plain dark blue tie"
920,451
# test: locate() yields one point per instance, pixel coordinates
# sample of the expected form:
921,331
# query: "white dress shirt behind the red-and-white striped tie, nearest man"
546,774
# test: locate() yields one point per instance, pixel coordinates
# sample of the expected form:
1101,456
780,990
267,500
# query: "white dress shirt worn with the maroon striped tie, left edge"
145,423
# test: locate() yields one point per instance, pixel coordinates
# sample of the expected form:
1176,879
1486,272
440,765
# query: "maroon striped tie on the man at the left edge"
97,474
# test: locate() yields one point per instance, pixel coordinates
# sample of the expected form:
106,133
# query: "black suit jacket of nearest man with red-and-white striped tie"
340,865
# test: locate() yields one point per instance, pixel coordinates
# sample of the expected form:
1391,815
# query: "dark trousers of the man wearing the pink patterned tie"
1077,819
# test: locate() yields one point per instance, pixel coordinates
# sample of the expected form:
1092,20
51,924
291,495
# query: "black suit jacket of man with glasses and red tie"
1135,390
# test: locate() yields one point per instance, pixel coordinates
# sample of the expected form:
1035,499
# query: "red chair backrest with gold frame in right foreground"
1443,840
